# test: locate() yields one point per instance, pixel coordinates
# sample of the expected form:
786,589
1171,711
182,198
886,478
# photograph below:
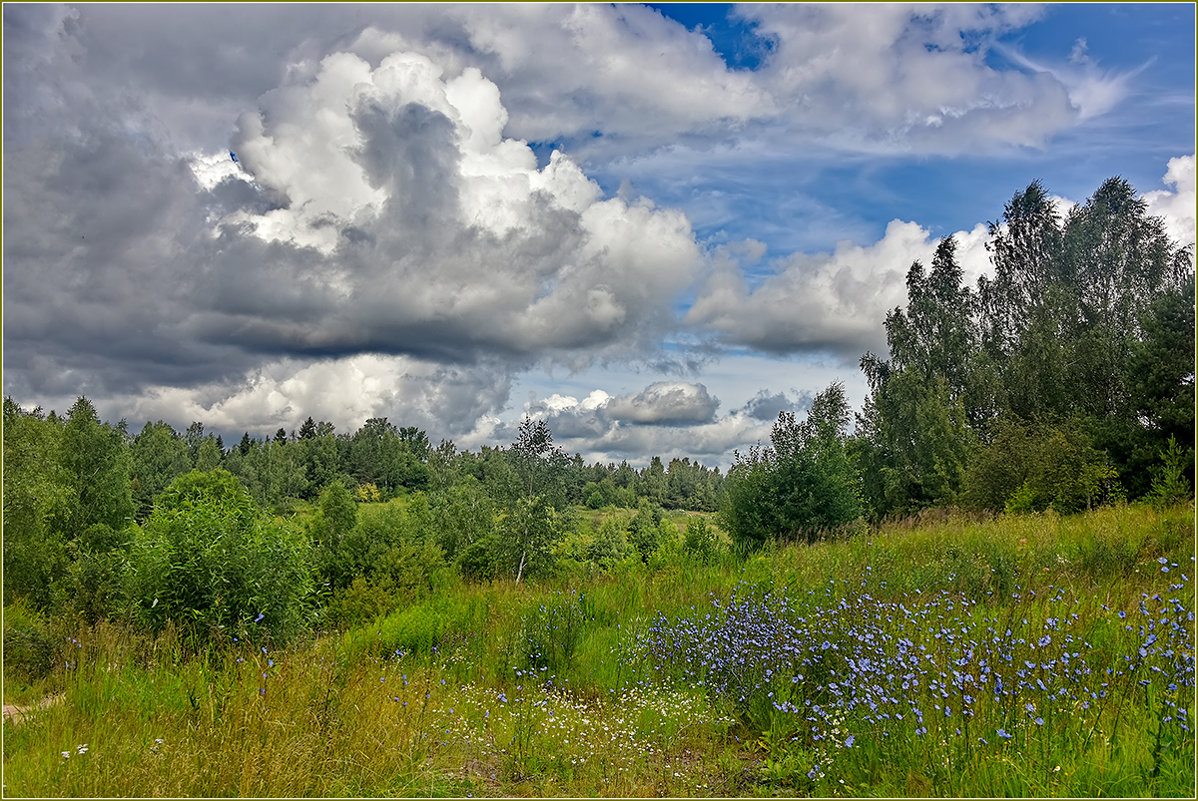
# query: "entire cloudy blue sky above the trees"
655,227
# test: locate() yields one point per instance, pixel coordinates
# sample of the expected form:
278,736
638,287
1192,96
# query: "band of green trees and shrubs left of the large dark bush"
164,526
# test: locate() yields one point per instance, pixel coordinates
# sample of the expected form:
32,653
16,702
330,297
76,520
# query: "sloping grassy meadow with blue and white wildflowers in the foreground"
1030,656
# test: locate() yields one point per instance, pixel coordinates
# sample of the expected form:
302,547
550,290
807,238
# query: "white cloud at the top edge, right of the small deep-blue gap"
898,77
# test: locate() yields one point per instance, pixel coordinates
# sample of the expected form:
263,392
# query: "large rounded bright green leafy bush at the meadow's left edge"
209,561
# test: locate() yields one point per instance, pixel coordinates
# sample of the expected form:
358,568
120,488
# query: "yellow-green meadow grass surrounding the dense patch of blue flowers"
463,709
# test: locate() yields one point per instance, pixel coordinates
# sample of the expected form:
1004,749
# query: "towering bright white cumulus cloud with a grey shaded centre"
427,220
